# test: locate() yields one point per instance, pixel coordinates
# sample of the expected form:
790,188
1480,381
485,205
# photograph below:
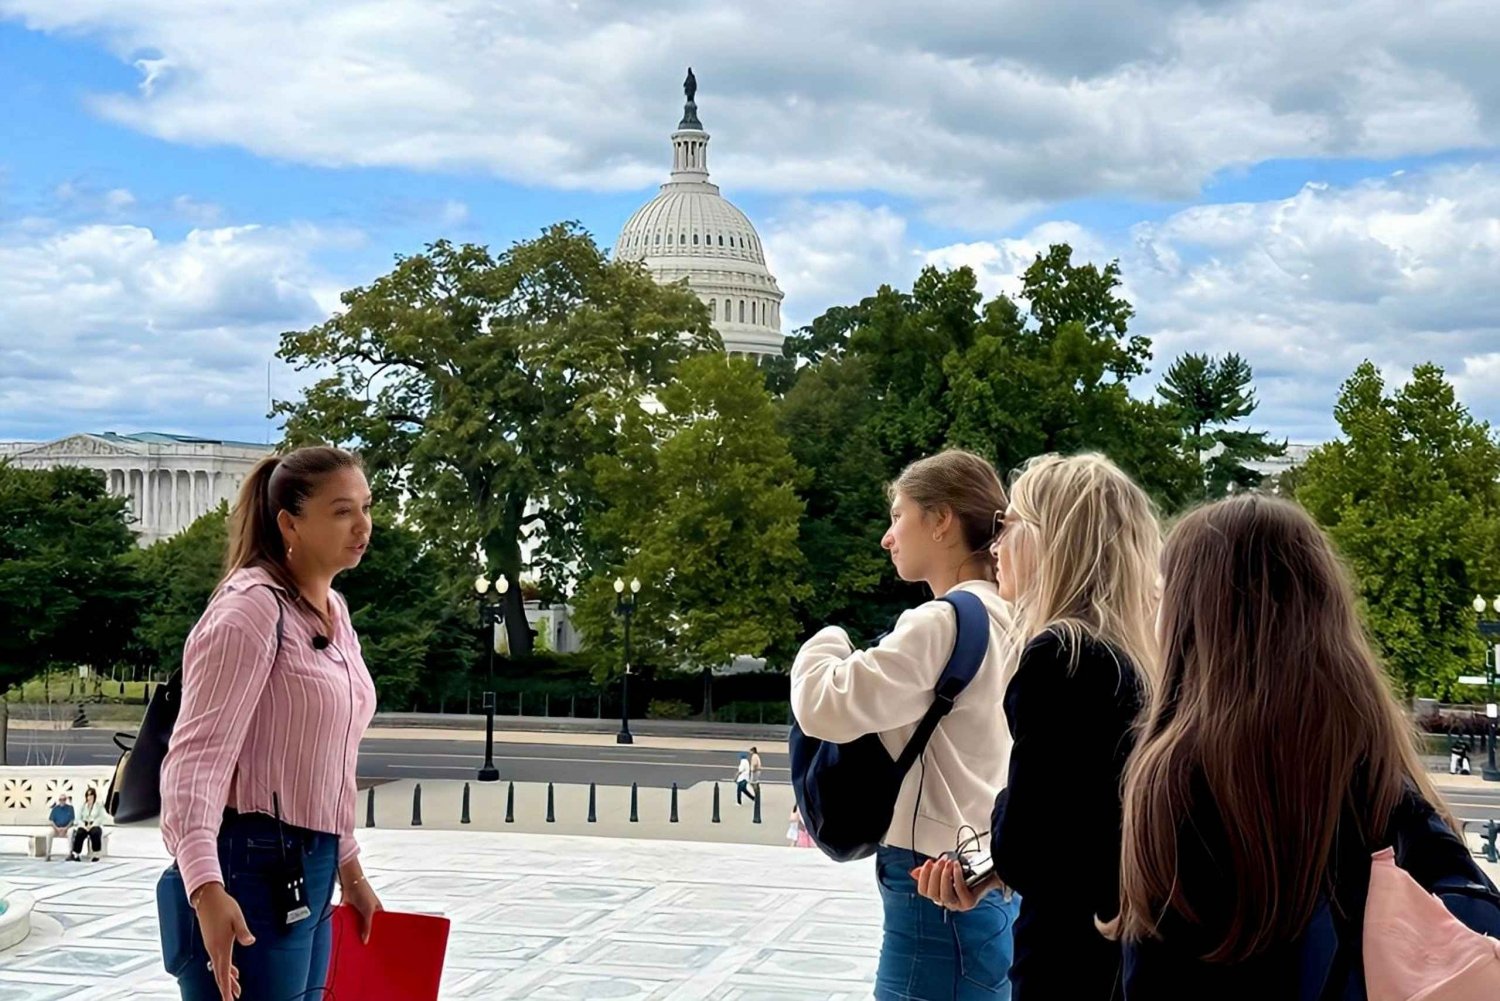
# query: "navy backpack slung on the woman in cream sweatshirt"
847,793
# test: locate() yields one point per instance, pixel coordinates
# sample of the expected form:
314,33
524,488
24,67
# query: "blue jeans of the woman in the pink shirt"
286,964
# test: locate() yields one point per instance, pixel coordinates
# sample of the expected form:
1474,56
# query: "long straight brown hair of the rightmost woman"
1271,700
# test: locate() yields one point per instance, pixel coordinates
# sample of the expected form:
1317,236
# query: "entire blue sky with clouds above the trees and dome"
1306,182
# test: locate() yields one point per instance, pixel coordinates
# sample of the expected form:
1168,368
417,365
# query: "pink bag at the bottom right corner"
1415,949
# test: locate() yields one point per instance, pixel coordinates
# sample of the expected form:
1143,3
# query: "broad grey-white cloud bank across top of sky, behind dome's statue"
973,109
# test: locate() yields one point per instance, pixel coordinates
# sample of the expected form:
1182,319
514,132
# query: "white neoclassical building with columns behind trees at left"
170,479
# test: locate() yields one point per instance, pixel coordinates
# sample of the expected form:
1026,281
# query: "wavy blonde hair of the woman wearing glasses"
1097,544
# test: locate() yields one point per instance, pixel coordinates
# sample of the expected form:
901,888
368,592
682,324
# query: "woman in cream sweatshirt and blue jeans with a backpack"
944,516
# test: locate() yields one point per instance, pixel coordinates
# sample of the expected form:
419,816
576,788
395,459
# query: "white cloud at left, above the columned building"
113,325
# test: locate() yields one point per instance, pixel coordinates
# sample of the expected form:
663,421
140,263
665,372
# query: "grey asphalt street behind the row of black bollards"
440,759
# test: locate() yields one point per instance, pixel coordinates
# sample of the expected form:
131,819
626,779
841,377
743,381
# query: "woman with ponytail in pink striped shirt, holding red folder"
259,784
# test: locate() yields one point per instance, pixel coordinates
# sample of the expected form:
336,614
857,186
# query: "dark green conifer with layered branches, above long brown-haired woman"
1210,397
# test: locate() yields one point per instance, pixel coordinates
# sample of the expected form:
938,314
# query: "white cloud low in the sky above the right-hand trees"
1399,272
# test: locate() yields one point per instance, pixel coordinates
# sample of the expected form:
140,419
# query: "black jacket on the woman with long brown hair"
1327,961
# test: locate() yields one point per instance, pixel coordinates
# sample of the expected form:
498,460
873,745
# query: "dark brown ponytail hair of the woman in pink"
277,484
